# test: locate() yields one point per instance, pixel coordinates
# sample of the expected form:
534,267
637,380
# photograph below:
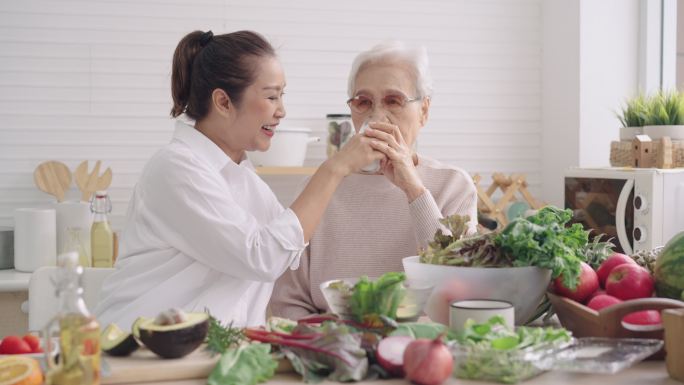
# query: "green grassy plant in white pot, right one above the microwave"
665,115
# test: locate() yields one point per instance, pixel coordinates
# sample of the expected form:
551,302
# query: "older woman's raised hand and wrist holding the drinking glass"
399,165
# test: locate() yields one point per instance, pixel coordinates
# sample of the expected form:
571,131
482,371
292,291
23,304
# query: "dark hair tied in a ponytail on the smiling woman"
203,62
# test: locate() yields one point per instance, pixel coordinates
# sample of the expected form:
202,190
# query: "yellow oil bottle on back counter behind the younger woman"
101,235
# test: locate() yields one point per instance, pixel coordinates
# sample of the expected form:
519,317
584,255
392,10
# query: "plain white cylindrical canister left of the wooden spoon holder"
35,242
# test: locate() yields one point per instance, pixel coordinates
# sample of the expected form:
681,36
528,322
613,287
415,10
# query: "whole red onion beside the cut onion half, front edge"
428,362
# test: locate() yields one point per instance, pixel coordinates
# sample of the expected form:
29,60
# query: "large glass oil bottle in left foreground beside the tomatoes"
79,331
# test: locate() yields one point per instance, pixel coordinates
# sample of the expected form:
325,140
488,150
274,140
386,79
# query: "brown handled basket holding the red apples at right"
585,322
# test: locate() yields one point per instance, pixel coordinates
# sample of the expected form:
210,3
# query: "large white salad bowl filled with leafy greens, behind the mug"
524,287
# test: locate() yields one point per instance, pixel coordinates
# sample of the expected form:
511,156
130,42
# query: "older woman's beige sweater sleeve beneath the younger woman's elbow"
292,292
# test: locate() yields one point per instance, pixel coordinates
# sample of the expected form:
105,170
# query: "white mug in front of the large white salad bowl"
479,310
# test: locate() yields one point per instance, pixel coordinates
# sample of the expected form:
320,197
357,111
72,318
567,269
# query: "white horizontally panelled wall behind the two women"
91,80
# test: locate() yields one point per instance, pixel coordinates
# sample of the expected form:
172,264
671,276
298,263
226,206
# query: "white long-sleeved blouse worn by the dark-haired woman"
201,232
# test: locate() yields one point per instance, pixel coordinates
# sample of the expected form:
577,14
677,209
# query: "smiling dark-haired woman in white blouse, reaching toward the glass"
203,231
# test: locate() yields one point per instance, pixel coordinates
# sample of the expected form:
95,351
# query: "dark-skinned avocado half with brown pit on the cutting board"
174,341
